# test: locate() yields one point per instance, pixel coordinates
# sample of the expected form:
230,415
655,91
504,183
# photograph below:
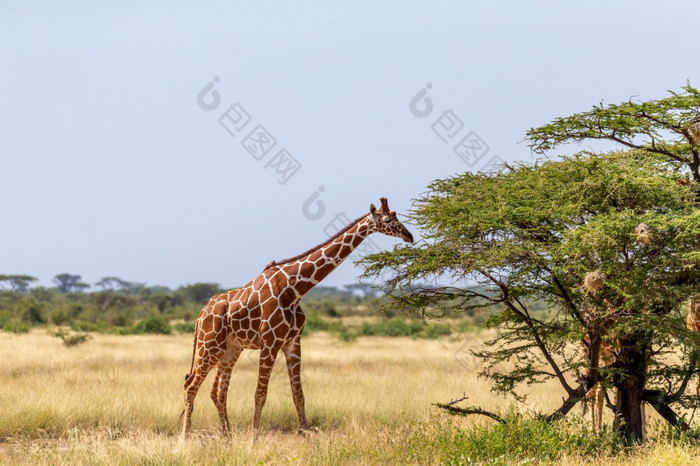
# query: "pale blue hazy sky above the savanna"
111,167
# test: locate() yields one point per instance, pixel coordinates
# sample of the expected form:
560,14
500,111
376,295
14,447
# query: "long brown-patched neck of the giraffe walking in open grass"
307,271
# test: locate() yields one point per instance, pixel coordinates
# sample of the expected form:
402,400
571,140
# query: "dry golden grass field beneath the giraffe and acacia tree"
117,399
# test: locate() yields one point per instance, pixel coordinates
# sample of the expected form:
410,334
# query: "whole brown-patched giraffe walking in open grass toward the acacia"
265,314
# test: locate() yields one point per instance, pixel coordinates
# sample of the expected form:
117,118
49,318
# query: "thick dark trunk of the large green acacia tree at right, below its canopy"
629,385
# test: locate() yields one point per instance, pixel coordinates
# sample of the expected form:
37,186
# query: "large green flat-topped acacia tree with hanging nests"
532,232
